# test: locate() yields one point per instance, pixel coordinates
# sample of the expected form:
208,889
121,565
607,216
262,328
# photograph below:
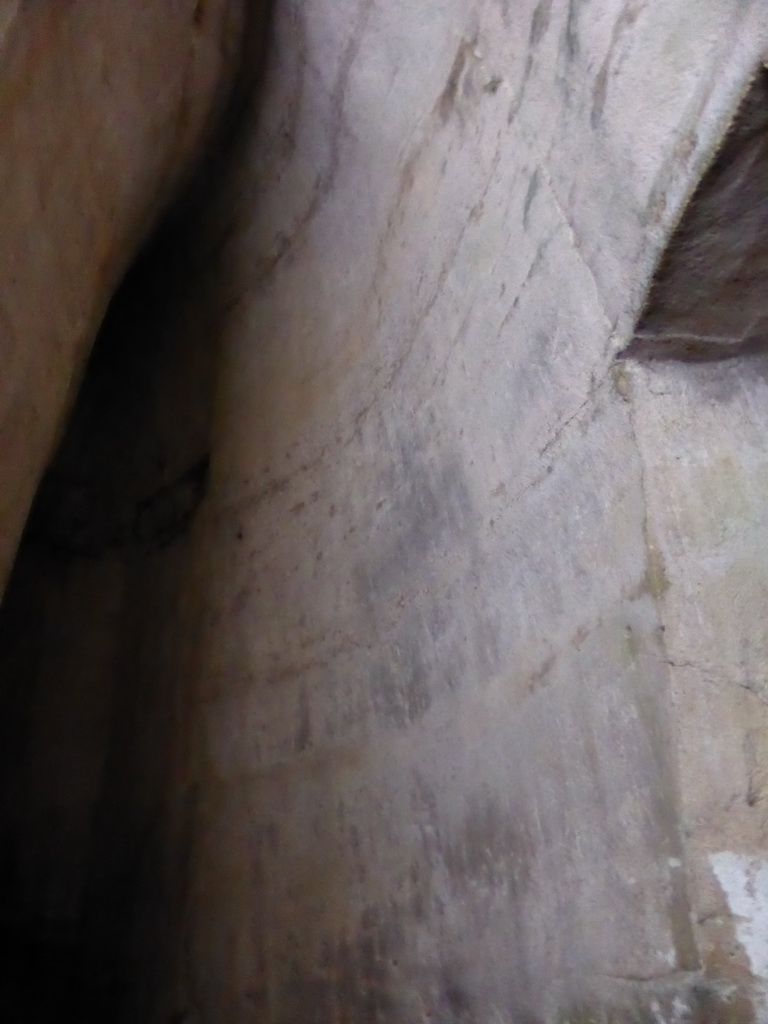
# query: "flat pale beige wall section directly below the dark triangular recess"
702,431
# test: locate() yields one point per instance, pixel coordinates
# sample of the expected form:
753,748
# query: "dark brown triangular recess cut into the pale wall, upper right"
708,300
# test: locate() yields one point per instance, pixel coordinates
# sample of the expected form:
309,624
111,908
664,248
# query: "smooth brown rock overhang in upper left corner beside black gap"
103,108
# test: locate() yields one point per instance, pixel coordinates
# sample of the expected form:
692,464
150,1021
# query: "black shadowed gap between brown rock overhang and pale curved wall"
98,633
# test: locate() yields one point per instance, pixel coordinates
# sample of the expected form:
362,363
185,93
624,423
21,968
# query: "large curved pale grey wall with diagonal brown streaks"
442,763
